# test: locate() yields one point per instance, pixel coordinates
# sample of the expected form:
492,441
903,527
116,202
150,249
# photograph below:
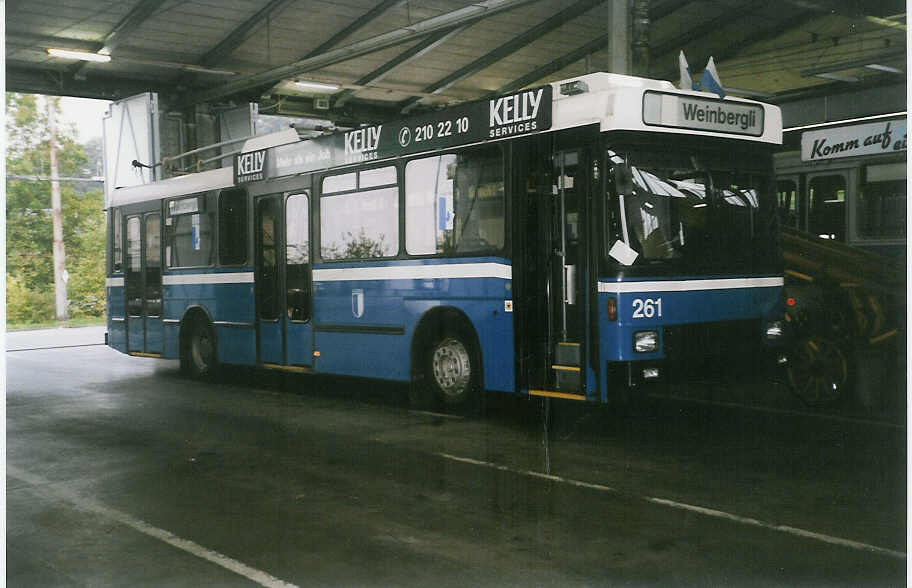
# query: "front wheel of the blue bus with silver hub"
452,374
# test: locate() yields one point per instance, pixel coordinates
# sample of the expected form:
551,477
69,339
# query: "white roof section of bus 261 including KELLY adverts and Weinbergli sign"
613,101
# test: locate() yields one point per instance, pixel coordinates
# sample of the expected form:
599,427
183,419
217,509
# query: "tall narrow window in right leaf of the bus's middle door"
297,258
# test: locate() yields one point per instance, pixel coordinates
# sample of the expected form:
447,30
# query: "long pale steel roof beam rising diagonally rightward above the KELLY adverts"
474,12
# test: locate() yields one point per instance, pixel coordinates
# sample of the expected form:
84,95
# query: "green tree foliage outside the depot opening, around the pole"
29,237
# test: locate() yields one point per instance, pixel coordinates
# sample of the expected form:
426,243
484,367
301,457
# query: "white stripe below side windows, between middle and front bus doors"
415,272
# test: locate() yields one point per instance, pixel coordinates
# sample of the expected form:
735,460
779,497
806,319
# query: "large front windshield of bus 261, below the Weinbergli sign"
694,208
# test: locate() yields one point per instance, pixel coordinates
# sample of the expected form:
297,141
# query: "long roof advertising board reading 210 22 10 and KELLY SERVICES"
521,113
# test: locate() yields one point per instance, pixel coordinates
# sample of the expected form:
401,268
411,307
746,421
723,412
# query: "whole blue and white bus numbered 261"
571,240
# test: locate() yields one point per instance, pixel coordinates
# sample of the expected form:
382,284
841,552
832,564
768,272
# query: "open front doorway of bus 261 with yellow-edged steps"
551,276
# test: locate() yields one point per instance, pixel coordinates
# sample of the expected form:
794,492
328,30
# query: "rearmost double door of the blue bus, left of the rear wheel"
143,284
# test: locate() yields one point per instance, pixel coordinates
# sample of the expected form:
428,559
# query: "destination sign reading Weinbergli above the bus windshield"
702,114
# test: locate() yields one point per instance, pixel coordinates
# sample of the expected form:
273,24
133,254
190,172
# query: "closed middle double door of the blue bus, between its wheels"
283,281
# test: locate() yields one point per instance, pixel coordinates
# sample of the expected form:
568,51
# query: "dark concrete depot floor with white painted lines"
120,472
